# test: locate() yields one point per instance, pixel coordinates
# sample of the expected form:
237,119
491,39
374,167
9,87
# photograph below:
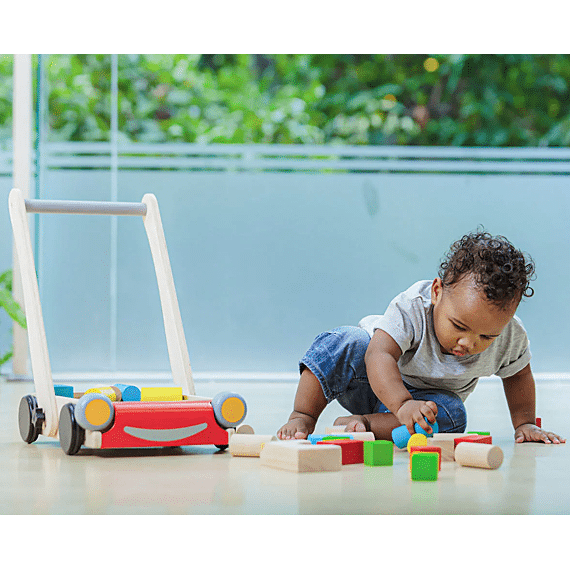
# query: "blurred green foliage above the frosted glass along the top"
410,99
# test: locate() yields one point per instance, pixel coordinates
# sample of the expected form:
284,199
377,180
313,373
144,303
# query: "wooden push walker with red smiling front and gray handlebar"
93,419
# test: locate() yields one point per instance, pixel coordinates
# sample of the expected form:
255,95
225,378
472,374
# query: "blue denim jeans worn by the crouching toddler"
336,358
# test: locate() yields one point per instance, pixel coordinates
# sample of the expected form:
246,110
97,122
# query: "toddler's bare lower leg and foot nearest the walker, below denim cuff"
309,402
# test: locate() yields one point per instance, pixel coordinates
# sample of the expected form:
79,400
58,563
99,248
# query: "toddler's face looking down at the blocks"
465,322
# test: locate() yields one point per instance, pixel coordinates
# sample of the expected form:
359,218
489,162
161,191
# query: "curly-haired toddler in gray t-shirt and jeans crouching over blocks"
423,357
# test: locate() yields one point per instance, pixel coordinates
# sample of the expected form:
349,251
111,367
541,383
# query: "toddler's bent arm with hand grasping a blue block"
385,380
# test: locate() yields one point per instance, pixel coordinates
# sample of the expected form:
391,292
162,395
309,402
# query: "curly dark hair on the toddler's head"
502,271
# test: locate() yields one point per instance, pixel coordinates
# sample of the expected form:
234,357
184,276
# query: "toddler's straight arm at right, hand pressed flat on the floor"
520,394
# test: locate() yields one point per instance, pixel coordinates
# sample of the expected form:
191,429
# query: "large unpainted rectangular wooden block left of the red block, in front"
292,456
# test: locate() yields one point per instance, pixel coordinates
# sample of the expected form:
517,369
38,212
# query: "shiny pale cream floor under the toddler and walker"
41,479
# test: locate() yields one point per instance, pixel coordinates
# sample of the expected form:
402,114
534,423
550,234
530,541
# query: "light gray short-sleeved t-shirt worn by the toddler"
409,321
